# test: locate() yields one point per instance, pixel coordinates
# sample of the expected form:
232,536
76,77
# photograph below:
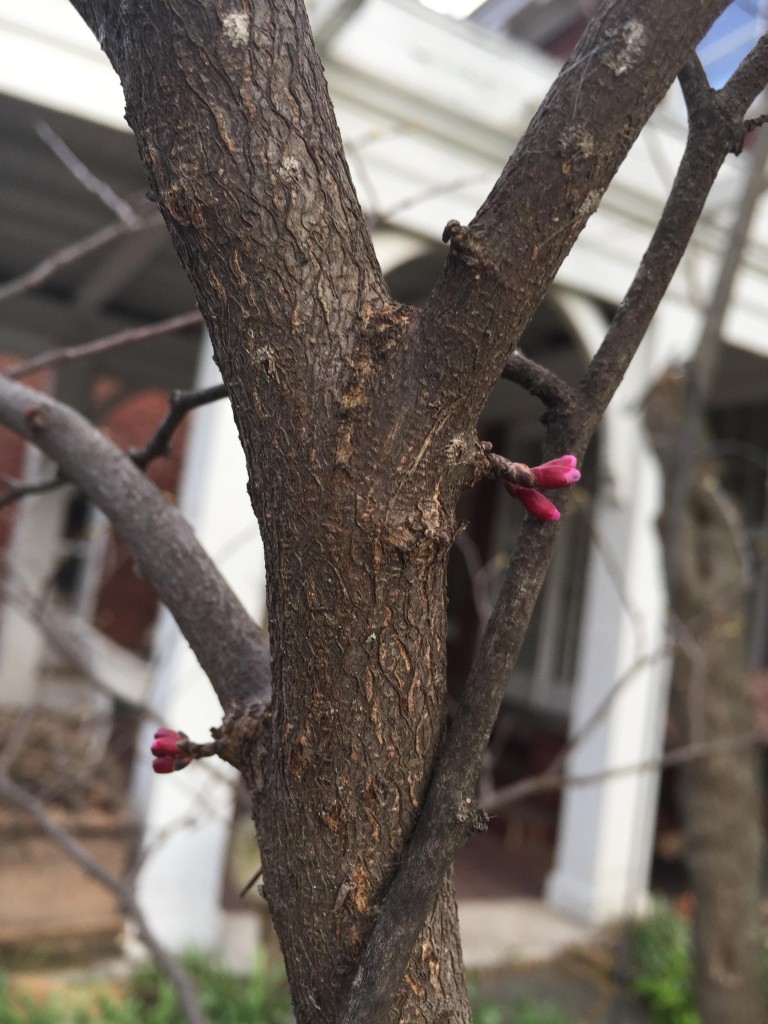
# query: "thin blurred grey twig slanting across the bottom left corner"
174,971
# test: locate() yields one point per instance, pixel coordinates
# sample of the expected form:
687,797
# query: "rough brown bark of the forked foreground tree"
358,418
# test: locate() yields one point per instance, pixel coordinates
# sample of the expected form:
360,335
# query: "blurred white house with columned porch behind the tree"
431,108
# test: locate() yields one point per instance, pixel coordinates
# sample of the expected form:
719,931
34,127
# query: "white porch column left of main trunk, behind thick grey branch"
188,816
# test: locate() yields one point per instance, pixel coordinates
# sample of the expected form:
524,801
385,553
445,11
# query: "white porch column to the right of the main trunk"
606,834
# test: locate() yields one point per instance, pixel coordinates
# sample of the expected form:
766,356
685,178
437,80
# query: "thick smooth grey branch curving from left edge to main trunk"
230,647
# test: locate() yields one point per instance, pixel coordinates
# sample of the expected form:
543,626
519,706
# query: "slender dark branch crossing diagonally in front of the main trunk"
448,816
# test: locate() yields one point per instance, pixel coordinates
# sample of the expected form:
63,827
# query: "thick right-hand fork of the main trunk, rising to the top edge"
551,186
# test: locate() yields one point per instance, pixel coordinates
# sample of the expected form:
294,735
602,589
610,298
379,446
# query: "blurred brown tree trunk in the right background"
711,703
